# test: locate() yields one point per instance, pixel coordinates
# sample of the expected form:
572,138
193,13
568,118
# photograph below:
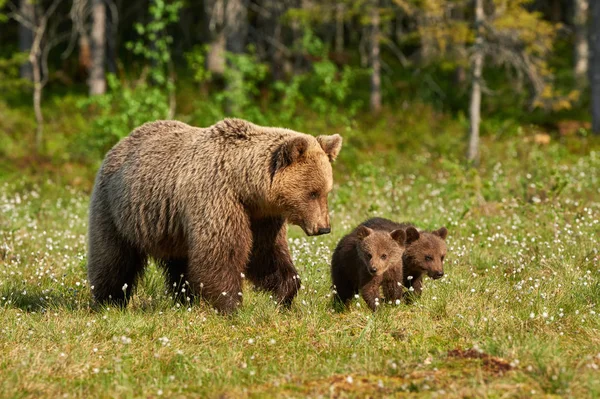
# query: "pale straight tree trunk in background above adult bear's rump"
97,81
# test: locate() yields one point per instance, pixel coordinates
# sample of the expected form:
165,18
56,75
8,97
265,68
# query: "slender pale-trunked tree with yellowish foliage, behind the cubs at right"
507,33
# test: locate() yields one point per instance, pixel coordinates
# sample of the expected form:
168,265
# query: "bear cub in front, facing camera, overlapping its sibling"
360,261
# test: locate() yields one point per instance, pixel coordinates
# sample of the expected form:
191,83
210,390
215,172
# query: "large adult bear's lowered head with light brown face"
302,178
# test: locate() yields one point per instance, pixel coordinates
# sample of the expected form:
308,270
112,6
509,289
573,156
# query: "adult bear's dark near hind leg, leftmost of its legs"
113,264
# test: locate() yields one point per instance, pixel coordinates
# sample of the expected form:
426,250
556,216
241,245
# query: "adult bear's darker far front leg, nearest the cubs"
271,267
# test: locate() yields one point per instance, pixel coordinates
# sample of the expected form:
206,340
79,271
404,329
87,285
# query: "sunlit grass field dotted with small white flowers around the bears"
516,315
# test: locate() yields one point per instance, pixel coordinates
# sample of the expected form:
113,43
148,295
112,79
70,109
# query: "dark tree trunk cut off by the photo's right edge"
595,64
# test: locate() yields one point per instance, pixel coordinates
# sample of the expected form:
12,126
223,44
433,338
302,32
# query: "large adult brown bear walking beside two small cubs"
210,204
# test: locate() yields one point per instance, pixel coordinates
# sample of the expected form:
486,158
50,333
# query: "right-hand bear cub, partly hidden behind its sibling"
424,255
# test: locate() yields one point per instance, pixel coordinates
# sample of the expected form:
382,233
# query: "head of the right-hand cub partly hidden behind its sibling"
426,250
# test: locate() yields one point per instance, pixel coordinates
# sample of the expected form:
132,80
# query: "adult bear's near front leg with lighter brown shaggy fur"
218,255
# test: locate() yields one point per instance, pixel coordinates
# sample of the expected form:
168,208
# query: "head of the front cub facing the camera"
380,250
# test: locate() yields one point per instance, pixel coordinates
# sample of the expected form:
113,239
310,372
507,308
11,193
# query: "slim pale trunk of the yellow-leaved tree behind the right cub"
475,107
